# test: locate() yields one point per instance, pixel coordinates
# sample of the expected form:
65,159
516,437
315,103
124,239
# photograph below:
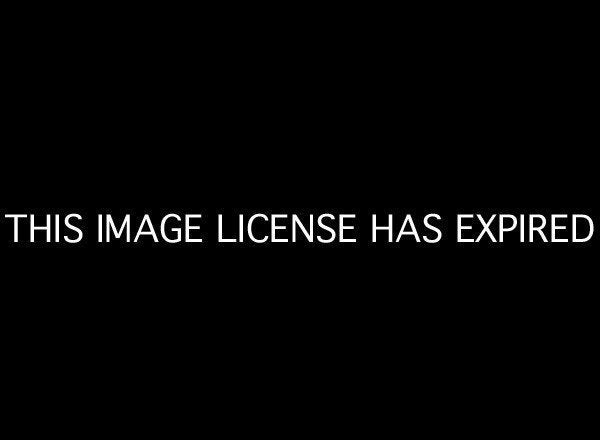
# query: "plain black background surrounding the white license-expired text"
368,113
